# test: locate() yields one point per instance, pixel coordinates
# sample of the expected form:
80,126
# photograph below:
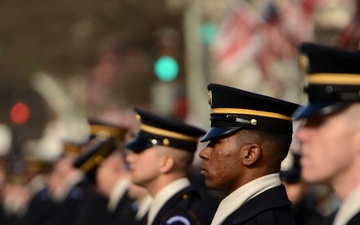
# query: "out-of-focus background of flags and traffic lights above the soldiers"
62,61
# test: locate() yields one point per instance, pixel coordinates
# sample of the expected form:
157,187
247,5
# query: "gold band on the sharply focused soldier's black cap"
250,112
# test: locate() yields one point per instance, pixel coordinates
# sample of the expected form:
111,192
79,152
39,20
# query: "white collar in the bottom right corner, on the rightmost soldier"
348,208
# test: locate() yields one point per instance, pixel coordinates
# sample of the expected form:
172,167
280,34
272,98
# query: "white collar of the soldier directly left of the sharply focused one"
165,194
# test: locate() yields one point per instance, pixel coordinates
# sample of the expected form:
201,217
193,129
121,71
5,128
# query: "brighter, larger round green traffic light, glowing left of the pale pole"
166,68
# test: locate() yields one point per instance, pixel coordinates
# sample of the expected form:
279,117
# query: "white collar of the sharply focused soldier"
244,193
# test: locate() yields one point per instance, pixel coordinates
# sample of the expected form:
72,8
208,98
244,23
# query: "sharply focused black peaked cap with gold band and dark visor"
233,109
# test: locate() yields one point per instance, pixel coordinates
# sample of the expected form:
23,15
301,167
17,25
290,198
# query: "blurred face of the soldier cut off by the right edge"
330,145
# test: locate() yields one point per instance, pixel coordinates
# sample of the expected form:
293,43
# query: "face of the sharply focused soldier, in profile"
222,165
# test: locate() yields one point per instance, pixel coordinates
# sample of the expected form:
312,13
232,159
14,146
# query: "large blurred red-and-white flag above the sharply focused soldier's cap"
271,31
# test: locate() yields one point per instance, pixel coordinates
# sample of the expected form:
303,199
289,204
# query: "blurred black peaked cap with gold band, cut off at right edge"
333,78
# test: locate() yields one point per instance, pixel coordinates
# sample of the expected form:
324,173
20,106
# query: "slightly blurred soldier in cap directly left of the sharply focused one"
160,158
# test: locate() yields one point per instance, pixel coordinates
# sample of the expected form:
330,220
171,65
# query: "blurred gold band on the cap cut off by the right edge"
334,78
